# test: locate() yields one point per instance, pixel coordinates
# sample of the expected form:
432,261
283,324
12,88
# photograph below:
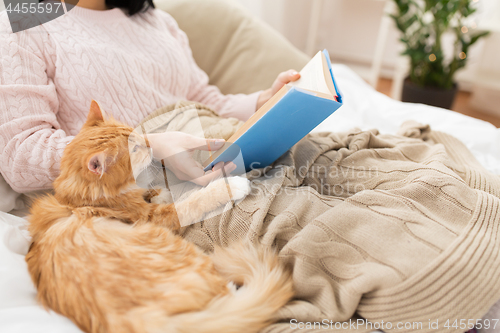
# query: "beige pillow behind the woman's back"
239,52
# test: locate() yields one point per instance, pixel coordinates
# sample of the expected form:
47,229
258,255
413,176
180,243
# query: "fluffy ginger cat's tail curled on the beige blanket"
266,287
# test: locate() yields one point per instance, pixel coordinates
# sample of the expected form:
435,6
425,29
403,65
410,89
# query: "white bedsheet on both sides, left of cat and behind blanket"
363,107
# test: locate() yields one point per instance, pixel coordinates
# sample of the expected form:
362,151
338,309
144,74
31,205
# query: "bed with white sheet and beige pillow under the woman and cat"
240,47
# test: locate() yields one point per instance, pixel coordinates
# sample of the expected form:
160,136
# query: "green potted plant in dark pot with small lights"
423,24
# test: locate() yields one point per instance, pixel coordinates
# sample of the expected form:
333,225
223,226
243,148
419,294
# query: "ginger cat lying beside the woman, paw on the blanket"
112,262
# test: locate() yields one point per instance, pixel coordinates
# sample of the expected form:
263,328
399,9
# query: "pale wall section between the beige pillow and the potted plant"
348,28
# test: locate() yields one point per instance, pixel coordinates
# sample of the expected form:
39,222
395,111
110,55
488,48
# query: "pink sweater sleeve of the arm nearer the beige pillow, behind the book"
239,106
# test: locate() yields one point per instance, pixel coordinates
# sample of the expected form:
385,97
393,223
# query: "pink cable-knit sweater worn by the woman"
50,73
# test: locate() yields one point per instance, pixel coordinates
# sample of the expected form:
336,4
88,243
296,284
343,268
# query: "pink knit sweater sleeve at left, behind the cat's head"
31,138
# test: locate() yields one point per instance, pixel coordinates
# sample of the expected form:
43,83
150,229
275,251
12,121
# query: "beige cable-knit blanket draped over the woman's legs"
401,229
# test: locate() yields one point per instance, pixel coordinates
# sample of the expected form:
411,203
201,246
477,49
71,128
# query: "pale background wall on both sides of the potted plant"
348,29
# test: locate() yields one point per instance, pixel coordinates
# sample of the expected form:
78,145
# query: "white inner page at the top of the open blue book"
312,76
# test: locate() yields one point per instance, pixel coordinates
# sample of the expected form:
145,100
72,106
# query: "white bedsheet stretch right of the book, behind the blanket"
366,108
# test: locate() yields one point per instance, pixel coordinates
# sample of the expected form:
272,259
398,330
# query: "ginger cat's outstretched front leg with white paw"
216,194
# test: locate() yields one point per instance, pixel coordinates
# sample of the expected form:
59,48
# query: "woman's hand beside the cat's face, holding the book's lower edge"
176,149
